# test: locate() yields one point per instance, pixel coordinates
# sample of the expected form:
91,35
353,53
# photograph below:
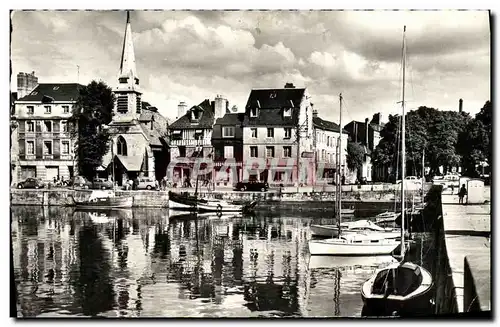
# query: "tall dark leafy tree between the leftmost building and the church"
93,108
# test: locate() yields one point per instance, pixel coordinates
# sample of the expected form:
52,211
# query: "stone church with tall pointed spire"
138,131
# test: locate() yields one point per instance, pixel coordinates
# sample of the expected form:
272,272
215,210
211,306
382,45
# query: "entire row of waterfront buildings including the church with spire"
276,125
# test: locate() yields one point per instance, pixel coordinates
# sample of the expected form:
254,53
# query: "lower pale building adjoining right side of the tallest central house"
326,136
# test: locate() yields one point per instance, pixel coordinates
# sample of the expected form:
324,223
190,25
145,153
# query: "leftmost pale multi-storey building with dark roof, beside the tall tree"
43,145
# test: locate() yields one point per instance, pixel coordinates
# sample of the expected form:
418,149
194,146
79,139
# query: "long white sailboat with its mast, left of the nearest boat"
351,243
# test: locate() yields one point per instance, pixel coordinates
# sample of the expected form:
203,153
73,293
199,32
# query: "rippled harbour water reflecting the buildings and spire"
130,263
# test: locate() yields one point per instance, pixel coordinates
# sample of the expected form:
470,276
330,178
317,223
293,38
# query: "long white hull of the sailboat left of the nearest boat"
343,247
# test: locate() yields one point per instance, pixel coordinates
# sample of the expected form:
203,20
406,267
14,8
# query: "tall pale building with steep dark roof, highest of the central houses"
278,136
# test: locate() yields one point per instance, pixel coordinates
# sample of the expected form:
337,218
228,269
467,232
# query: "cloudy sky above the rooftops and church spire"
193,55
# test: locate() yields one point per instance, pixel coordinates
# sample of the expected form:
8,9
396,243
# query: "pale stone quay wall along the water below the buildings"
270,199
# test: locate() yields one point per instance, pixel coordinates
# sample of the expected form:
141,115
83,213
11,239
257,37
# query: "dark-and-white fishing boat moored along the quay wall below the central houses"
185,202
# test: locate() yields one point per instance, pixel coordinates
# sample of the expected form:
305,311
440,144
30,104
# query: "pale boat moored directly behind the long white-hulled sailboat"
355,226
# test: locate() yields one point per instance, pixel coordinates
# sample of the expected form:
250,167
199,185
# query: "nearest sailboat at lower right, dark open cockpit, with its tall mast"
401,285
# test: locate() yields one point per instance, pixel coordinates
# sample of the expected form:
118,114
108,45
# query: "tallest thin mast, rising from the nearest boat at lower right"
403,150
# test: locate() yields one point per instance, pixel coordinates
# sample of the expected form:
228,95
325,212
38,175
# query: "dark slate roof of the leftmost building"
56,91
